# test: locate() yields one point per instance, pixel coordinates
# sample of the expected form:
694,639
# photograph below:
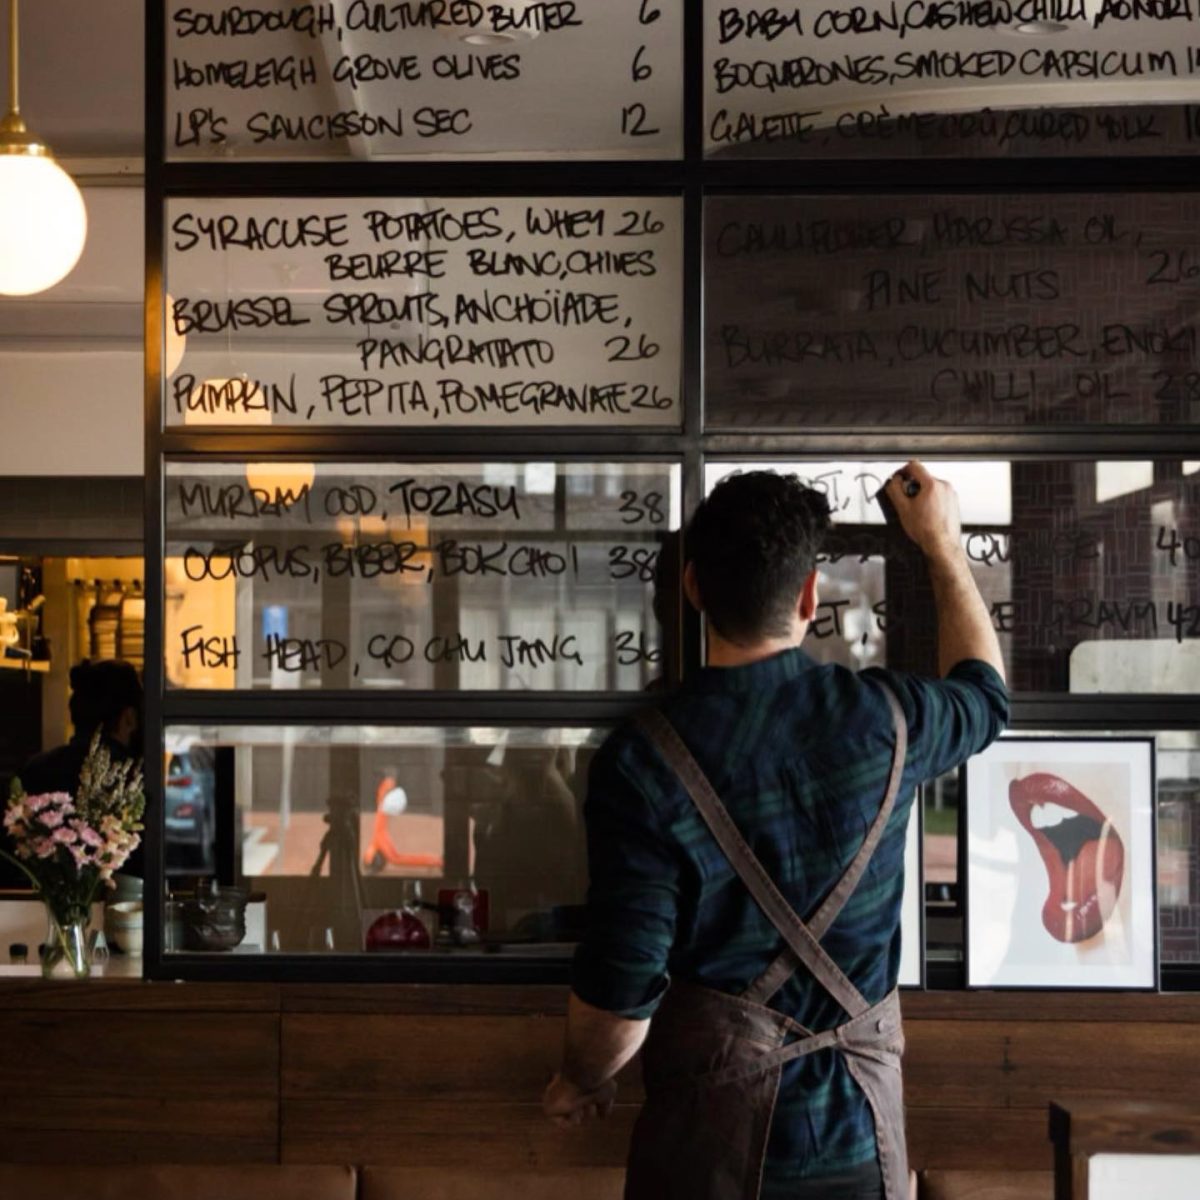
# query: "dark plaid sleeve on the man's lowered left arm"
621,965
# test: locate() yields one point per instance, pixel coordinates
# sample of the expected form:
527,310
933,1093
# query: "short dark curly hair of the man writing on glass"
753,544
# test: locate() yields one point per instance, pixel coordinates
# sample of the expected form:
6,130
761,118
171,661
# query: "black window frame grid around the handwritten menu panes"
693,179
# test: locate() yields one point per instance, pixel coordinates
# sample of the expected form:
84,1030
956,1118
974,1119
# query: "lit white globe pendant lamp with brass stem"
43,218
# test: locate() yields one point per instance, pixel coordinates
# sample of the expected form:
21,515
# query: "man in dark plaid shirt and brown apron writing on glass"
746,848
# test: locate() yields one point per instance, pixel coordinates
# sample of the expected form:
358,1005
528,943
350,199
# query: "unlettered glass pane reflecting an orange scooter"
476,831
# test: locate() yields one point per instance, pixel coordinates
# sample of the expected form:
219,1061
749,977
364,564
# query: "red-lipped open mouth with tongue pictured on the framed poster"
1083,854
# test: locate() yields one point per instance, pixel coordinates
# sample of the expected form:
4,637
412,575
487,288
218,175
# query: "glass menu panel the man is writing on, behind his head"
1091,572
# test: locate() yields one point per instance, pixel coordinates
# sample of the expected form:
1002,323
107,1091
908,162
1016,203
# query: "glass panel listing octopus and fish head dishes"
459,577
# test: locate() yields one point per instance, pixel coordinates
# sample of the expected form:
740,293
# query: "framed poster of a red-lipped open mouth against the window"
1060,865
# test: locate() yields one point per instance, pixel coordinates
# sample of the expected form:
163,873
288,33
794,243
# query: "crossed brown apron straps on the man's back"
802,939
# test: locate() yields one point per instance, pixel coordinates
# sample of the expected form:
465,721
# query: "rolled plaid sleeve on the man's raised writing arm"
950,719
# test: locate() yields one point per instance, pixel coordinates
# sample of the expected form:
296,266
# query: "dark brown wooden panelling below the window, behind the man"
423,1075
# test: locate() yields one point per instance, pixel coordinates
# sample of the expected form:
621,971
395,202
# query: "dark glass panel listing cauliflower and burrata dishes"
997,311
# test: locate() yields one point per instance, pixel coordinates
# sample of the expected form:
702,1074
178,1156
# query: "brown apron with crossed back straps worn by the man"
713,1063
